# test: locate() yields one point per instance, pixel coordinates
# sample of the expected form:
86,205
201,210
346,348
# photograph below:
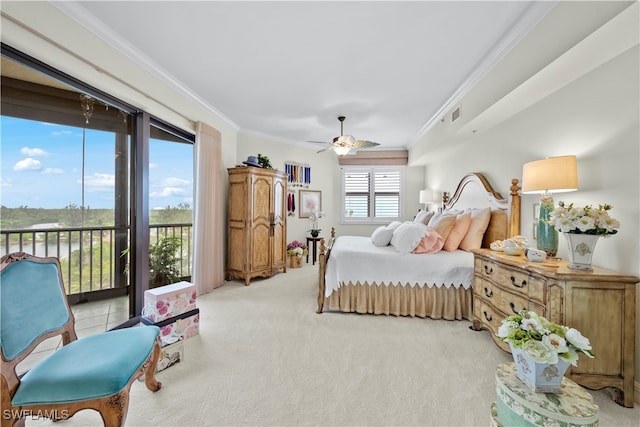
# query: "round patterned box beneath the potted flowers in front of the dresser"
517,405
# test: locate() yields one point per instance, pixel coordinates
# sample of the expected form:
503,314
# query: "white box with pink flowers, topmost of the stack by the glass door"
169,300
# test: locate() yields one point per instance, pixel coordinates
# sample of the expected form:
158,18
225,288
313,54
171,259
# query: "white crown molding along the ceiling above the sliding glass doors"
105,33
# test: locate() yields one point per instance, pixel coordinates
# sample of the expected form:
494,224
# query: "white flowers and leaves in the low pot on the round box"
544,341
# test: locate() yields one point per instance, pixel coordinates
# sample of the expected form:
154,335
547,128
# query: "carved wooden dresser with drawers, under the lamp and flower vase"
600,304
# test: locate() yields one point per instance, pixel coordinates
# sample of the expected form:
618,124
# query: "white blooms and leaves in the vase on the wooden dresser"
587,220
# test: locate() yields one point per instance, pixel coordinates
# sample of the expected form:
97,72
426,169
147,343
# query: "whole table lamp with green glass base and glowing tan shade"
546,176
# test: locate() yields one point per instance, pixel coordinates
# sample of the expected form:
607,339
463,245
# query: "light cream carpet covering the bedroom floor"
265,358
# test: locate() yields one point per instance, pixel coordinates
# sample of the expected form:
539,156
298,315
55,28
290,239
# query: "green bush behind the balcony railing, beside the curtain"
164,267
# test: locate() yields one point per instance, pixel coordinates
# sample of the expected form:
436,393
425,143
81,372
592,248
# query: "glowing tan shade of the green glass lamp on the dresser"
552,175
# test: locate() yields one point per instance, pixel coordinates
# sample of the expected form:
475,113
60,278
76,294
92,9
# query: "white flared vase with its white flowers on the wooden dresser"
582,226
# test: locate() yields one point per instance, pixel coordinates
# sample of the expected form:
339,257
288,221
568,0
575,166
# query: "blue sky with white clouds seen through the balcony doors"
42,167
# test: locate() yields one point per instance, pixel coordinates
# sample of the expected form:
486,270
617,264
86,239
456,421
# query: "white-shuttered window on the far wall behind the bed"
371,194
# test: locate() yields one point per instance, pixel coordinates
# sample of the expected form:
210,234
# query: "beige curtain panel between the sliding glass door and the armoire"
208,253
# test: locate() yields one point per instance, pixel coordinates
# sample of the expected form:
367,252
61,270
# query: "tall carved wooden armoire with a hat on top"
257,228
